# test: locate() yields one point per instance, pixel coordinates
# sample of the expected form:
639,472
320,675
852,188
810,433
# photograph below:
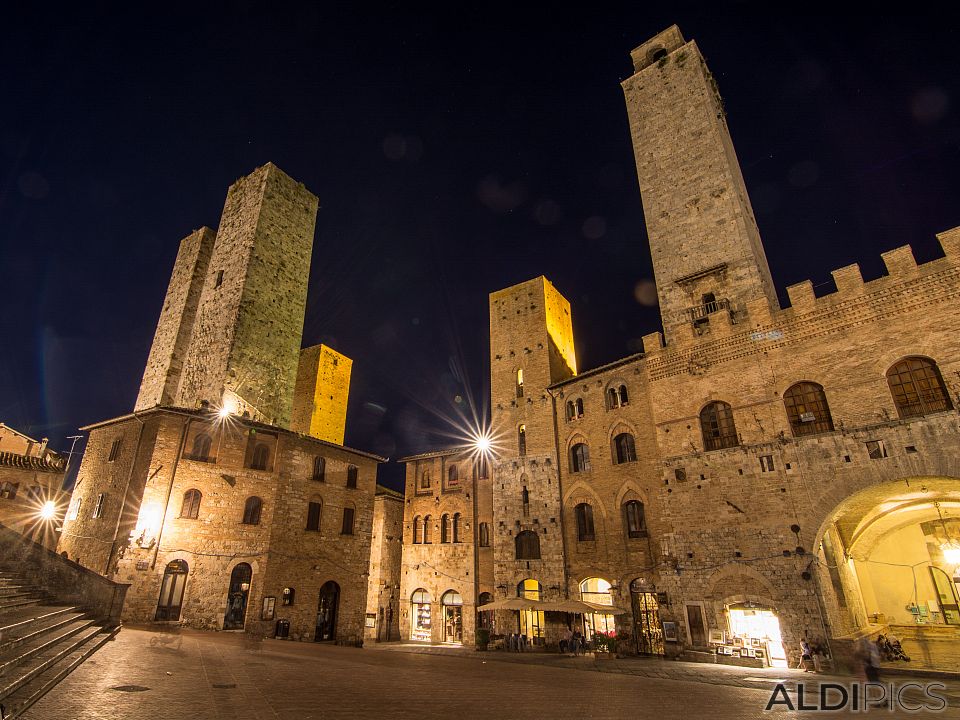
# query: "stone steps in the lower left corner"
41,640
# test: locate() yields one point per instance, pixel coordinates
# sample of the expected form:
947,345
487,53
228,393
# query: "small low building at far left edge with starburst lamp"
32,500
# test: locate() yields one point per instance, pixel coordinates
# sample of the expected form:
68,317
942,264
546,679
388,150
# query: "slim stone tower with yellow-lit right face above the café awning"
531,347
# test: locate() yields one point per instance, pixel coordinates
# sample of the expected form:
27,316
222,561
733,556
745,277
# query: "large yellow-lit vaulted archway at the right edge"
888,559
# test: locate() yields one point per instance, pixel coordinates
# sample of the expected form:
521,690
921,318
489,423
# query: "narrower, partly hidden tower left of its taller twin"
161,378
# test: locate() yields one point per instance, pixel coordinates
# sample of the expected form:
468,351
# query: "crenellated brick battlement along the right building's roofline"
901,267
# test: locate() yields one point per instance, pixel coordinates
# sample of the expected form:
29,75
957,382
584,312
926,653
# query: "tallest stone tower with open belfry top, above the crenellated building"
707,256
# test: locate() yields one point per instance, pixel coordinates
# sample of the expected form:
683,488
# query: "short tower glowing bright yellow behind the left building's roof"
321,394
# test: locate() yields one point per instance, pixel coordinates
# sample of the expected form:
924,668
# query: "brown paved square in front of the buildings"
145,674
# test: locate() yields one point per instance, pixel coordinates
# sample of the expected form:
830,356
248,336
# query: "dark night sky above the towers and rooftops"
455,151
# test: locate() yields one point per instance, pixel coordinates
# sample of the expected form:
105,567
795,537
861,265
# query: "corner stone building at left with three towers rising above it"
227,499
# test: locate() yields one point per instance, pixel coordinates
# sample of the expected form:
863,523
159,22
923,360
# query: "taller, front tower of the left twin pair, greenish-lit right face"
245,343
